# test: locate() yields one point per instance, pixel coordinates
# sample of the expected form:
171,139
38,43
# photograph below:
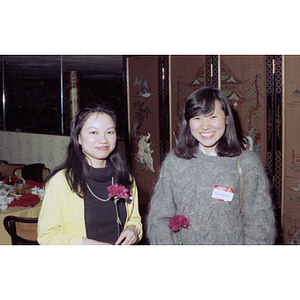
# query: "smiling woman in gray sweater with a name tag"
199,180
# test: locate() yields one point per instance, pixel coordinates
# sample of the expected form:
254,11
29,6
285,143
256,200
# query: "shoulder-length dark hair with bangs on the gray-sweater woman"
202,102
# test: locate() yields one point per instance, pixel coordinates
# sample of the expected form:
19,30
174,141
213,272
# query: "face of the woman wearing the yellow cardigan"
98,139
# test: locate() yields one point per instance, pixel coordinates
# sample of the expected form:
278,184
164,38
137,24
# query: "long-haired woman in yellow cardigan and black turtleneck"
77,208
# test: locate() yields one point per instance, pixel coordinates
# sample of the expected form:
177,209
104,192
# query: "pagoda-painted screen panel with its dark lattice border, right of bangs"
253,85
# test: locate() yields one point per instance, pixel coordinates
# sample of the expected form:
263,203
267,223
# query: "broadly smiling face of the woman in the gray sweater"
209,129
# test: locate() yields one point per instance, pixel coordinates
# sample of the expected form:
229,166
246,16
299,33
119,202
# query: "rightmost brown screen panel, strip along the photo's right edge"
291,158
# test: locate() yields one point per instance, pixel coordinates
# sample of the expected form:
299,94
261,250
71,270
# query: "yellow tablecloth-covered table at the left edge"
19,211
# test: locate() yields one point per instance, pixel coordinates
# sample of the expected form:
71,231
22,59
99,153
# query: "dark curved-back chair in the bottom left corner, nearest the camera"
23,231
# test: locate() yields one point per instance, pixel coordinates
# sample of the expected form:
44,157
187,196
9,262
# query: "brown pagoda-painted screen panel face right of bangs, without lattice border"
243,82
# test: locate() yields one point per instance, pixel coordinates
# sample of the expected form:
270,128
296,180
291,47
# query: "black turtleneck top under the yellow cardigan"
100,216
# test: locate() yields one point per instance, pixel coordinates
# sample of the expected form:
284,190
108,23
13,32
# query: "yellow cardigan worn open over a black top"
61,219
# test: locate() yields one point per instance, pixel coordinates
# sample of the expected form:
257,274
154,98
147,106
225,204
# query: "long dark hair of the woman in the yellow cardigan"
76,166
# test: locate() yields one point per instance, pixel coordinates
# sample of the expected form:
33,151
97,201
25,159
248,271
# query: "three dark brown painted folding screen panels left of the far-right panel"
253,85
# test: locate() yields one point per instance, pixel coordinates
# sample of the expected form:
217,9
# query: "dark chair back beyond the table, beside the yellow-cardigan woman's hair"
35,172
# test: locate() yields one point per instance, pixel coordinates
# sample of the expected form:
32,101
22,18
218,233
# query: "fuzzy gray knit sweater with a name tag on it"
185,187
